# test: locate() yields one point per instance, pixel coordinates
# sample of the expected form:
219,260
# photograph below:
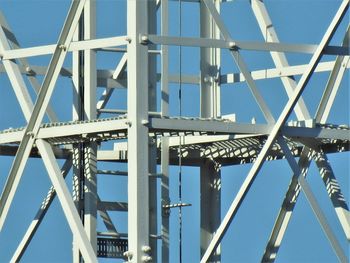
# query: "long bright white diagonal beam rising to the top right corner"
274,132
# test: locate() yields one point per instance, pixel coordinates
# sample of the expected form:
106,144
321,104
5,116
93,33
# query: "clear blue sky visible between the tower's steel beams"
302,21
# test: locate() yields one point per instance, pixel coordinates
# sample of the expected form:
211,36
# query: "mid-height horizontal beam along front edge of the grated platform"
173,127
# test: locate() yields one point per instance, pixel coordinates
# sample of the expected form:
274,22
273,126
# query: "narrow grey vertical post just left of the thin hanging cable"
165,141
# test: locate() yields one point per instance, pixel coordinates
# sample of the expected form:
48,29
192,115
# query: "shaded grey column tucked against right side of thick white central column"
152,106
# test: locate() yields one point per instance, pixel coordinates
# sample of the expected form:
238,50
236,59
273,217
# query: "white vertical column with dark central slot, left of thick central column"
84,155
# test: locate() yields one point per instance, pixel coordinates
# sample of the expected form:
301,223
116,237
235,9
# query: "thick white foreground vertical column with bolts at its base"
138,182
